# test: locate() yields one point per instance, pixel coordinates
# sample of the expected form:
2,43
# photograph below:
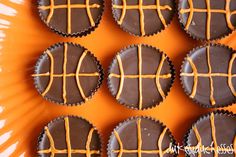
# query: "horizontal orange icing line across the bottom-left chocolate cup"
64,151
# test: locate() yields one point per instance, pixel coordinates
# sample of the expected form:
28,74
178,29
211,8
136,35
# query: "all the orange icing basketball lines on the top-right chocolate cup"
209,11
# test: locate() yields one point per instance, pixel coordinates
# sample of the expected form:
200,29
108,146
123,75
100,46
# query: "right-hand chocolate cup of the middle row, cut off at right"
208,75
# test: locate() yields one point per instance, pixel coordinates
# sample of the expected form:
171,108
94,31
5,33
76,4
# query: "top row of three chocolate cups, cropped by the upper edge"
201,19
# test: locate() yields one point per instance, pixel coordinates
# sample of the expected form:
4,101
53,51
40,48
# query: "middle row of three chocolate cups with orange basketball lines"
139,77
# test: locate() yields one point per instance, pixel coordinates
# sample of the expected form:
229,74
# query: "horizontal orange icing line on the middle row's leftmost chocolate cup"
68,75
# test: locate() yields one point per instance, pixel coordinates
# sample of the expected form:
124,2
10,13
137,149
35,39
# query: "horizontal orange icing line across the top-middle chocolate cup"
143,7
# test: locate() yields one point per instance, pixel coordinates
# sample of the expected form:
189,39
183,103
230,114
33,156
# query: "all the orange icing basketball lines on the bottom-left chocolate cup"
69,151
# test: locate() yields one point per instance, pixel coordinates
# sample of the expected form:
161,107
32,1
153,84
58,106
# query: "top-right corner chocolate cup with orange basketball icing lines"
208,19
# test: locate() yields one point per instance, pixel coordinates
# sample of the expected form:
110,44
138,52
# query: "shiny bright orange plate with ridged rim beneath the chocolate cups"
24,113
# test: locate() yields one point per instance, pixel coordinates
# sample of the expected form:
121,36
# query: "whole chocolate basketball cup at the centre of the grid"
140,76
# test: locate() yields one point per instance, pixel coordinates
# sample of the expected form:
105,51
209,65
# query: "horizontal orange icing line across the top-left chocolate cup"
72,6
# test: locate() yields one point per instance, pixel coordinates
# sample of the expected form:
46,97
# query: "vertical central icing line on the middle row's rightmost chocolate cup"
210,77
